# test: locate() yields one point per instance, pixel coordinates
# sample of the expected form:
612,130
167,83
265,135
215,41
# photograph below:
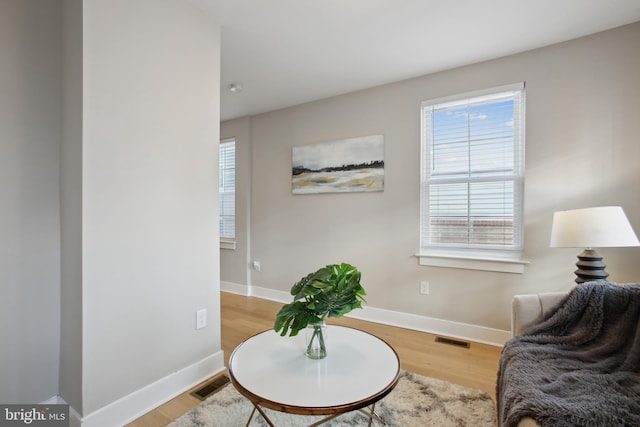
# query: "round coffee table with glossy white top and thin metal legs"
273,372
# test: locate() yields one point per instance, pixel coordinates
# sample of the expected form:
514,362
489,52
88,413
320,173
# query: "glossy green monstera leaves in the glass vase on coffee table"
331,291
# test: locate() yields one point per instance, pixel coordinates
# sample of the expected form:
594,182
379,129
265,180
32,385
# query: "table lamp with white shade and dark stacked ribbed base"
601,227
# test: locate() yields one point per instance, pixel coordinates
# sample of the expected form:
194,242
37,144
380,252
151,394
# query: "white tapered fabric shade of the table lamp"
601,227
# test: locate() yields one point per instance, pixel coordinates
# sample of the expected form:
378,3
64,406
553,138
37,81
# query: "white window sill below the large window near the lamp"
502,265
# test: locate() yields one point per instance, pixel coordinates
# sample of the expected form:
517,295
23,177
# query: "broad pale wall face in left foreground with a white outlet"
149,221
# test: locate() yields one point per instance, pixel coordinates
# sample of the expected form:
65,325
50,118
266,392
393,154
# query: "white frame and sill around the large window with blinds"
475,256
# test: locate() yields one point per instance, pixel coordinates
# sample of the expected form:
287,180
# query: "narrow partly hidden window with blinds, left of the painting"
227,193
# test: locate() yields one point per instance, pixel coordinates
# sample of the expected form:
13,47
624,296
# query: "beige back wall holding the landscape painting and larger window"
583,105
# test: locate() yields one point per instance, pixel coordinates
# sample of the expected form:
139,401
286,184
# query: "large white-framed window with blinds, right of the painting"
472,180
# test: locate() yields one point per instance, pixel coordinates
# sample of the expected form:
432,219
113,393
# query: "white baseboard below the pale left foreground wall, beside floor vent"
138,403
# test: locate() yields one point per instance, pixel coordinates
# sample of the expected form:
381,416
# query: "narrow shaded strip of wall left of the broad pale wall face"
71,208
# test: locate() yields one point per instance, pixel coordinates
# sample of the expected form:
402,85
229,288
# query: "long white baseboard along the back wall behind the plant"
431,325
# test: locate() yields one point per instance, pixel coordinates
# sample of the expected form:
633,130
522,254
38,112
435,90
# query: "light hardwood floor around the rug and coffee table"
419,352
